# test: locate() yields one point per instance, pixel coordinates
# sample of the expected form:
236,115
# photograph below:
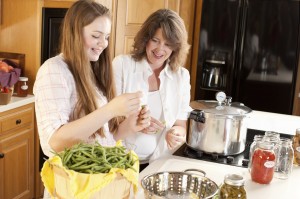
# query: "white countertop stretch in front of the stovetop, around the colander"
277,189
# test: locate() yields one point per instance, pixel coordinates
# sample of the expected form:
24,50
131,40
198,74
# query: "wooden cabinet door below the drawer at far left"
16,167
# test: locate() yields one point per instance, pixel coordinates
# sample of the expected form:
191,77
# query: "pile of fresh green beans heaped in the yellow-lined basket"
94,158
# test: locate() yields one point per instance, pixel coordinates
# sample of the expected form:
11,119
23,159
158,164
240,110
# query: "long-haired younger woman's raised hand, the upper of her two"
126,104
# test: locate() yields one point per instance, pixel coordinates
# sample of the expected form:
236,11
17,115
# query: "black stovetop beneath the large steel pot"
240,160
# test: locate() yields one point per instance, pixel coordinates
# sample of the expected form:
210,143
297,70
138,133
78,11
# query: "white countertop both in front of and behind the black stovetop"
277,189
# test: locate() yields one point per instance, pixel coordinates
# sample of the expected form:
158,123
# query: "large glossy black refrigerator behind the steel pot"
250,50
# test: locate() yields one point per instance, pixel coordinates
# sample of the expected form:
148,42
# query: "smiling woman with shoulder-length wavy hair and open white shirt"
155,67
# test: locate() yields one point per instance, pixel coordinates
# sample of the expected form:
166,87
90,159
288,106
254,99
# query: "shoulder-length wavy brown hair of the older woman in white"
174,32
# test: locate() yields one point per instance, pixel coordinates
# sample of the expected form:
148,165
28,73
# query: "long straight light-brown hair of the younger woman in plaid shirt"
87,74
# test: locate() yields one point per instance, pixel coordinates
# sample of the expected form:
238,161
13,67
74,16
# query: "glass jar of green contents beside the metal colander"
233,187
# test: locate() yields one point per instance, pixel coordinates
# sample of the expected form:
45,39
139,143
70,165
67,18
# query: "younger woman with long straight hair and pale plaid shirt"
74,91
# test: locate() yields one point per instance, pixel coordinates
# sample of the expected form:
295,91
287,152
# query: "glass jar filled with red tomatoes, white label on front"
263,163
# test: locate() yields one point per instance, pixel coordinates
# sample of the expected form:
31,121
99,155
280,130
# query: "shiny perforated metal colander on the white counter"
179,185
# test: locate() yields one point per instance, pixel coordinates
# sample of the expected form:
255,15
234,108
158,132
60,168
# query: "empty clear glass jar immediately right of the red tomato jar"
284,160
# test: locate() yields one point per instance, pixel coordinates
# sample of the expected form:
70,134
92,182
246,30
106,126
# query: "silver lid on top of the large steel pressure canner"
215,107
